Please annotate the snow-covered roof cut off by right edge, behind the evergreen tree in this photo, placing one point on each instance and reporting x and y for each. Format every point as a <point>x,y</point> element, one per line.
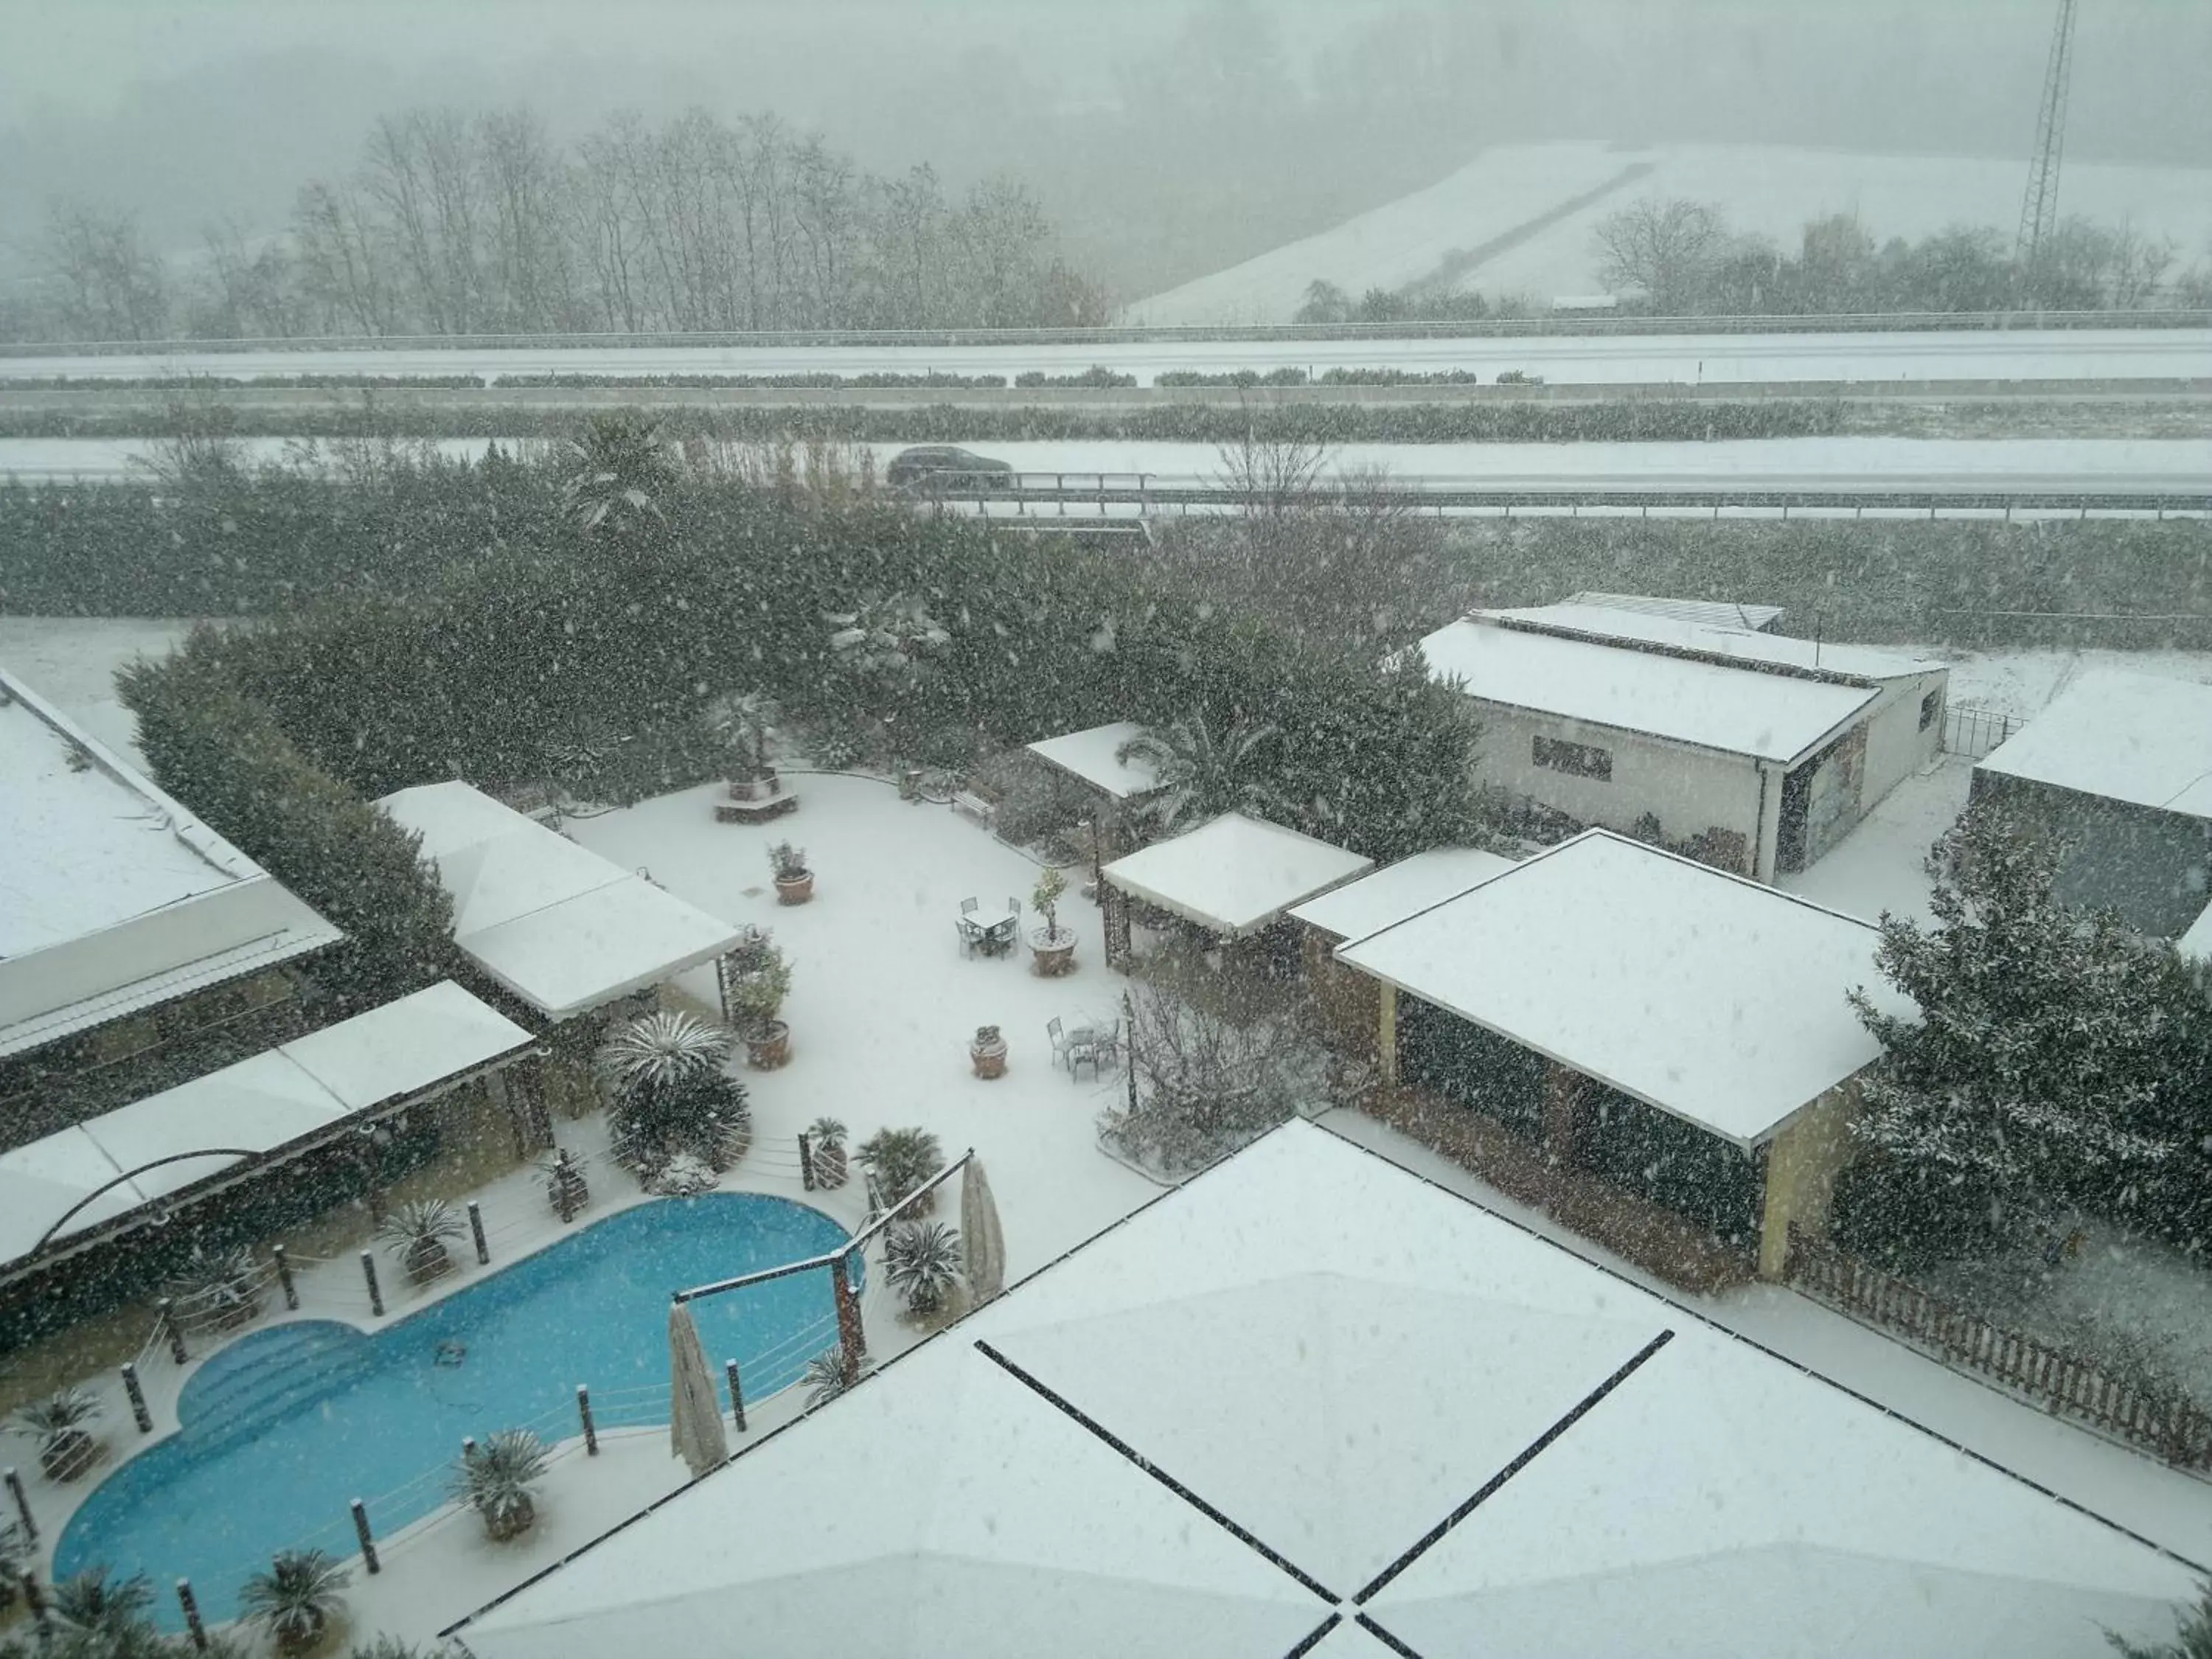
<point>2127,738</point>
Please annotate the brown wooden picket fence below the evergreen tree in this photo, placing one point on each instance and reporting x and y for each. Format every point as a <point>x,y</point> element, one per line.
<point>2158,1421</point>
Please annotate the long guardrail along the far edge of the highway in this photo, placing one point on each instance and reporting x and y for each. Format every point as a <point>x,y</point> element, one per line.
<point>1145,333</point>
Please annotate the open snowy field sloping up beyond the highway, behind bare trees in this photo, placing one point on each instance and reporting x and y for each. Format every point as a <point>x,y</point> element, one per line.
<point>1503,218</point>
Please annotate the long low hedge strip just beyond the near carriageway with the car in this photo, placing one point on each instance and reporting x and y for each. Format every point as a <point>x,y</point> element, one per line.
<point>1333,424</point>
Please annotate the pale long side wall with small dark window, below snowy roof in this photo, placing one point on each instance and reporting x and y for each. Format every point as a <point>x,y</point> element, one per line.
<point>1689,791</point>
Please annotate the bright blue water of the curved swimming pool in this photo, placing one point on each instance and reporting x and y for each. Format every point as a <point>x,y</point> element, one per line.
<point>291,1423</point>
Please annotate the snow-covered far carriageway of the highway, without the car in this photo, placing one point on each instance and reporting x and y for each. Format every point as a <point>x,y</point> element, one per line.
<point>1662,359</point>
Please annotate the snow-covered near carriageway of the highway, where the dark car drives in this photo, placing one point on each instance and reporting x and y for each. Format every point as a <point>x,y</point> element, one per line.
<point>1870,466</point>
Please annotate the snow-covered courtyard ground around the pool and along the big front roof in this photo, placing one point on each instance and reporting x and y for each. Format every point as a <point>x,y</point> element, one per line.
<point>884,1005</point>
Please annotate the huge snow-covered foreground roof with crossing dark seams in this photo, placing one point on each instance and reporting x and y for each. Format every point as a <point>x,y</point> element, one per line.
<point>1311,1399</point>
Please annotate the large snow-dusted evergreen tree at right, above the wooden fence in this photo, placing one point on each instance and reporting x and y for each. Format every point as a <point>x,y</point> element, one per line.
<point>2049,1043</point>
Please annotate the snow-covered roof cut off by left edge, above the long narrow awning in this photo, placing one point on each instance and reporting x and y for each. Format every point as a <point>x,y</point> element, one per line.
<point>114,897</point>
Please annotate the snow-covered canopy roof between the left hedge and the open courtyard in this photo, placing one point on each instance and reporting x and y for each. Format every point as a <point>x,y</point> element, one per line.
<point>559,926</point>
